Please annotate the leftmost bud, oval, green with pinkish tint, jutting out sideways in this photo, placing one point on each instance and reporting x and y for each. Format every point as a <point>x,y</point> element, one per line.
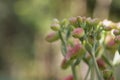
<point>53,36</point>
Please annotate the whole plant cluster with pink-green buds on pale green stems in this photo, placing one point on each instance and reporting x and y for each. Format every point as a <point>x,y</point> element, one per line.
<point>89,40</point>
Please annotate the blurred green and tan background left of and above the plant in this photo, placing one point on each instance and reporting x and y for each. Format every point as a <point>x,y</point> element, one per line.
<point>24,54</point>
